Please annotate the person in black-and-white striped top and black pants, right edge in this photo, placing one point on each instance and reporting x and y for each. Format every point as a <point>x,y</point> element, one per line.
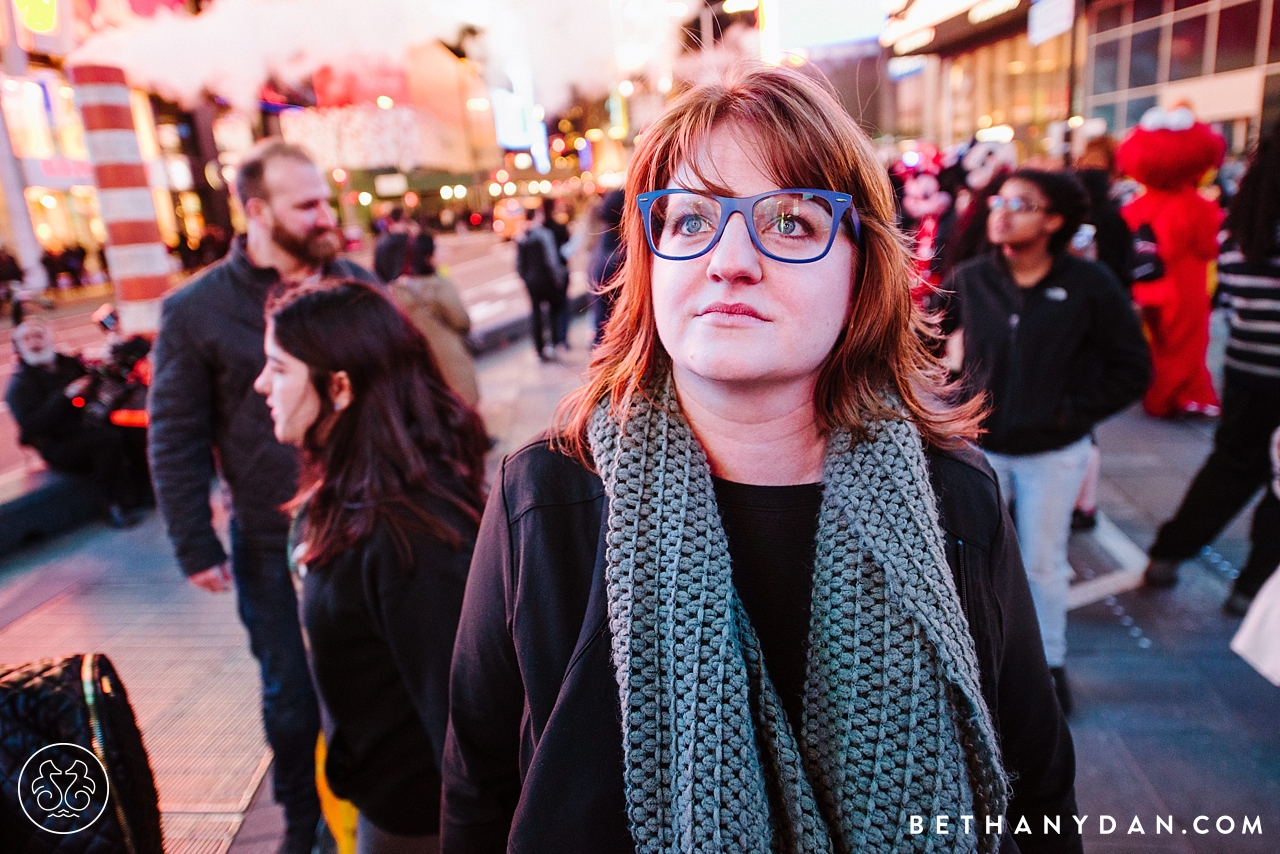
<point>1249,277</point>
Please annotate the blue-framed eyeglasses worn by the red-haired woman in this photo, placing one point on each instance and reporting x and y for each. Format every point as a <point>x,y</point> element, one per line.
<point>793,226</point>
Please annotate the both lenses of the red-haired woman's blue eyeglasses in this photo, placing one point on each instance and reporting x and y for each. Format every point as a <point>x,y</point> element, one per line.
<point>790,226</point>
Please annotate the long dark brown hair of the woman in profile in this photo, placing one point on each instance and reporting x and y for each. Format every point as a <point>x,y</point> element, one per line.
<point>405,433</point>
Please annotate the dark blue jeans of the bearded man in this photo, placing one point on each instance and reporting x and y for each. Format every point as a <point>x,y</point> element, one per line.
<point>269,610</point>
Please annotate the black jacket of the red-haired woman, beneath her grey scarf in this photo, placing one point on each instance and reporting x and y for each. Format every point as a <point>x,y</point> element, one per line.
<point>533,762</point>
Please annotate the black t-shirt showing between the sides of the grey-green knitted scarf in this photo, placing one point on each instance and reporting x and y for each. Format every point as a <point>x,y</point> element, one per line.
<point>771,536</point>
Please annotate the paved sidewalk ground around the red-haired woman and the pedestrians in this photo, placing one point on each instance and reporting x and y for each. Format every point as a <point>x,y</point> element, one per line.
<point>1169,723</point>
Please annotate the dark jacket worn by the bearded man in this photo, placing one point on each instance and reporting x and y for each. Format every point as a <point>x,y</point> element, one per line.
<point>203,404</point>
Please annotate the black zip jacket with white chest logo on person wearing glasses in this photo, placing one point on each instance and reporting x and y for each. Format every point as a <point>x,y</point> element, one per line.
<point>1054,359</point>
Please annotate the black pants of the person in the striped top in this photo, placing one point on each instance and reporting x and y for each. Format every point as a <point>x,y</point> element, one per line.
<point>1240,465</point>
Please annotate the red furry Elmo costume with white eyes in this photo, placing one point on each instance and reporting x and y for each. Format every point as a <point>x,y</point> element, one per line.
<point>1169,154</point>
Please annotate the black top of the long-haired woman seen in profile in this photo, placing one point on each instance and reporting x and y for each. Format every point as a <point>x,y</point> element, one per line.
<point>381,638</point>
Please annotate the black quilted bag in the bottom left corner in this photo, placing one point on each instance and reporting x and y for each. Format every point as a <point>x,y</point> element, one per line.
<point>74,773</point>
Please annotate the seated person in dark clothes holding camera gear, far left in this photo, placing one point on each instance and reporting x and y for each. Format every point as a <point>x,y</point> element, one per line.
<point>49,399</point>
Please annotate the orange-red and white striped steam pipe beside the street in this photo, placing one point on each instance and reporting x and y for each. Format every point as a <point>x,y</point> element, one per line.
<point>136,254</point>
